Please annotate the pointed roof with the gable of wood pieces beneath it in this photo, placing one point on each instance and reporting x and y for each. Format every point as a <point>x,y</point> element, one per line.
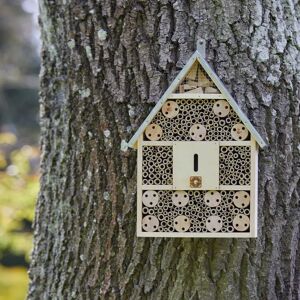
<point>205,81</point>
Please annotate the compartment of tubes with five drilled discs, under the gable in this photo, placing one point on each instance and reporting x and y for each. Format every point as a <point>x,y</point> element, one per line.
<point>197,120</point>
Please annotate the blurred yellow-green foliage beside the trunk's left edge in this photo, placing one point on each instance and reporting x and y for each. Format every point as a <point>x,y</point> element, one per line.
<point>18,192</point>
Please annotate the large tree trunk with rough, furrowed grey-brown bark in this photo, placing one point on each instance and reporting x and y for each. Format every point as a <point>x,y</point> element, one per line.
<point>104,64</point>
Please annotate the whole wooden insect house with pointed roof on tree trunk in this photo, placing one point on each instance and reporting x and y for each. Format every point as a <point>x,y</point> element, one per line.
<point>197,161</point>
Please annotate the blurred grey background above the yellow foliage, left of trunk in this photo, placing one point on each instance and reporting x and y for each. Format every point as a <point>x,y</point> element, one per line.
<point>19,66</point>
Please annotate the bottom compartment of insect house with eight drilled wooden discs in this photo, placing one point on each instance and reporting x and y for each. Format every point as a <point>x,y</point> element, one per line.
<point>167,213</point>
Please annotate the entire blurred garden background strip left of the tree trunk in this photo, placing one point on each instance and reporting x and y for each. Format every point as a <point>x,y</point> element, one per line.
<point>19,133</point>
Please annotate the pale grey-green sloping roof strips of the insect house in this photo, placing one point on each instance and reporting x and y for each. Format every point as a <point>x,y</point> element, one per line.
<point>197,57</point>
